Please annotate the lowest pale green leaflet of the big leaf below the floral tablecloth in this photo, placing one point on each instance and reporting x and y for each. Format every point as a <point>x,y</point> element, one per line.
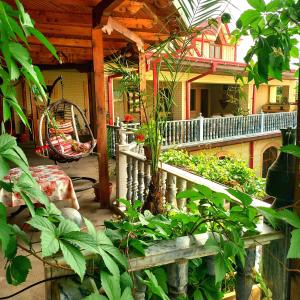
<point>73,258</point>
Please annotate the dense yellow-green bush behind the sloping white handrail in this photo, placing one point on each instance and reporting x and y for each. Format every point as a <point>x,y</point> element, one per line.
<point>229,171</point>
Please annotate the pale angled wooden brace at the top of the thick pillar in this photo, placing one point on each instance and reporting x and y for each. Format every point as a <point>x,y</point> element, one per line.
<point>113,25</point>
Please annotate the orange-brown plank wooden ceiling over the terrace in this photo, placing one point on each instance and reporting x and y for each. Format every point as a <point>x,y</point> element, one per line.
<point>68,25</point>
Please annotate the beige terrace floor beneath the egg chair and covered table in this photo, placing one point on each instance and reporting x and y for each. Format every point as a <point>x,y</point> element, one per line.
<point>88,208</point>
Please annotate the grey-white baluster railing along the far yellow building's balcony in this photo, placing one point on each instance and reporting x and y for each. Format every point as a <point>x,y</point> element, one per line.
<point>196,131</point>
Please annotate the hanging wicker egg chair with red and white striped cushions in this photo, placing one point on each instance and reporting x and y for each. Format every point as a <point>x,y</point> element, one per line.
<point>64,134</point>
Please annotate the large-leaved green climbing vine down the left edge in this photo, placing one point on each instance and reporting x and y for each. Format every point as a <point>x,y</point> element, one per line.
<point>59,236</point>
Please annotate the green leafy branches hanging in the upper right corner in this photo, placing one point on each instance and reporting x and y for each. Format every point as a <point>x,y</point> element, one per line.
<point>274,28</point>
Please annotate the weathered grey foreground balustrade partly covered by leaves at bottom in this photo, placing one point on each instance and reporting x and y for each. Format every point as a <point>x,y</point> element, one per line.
<point>174,254</point>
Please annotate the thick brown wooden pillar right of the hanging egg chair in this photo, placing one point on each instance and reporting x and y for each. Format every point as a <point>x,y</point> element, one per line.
<point>98,60</point>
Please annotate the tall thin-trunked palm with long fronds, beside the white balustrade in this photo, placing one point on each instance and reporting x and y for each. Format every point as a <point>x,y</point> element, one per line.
<point>171,63</point>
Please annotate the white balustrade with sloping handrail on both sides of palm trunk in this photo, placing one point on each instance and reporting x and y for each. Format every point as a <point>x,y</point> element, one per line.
<point>134,176</point>
